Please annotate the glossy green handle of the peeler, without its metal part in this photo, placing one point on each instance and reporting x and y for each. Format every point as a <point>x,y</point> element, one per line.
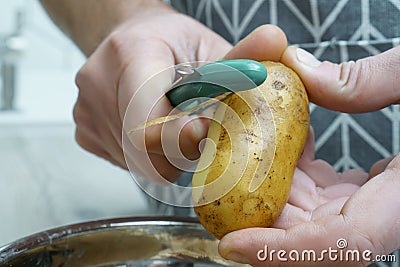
<point>255,74</point>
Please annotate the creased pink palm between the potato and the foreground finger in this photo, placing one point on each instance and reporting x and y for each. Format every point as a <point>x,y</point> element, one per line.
<point>318,190</point>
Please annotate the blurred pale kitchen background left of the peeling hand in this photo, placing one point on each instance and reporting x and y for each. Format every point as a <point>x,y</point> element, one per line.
<point>46,179</point>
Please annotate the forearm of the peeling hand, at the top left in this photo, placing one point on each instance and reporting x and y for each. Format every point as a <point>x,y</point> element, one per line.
<point>89,22</point>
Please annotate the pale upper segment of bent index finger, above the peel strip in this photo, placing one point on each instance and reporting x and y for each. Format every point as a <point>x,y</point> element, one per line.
<point>143,84</point>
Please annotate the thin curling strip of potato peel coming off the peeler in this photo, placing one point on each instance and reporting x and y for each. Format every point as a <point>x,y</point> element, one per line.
<point>179,115</point>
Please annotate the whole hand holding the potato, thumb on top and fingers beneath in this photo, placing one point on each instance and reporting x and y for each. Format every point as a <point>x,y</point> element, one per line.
<point>325,206</point>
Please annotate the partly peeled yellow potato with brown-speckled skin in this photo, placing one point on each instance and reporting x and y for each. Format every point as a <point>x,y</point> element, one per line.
<point>244,179</point>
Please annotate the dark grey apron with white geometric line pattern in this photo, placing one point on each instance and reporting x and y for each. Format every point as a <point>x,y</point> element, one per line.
<point>332,30</point>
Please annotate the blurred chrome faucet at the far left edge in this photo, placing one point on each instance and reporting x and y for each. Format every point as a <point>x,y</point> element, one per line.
<point>11,48</point>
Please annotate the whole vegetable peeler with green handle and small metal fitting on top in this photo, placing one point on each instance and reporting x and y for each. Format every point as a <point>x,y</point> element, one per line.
<point>194,85</point>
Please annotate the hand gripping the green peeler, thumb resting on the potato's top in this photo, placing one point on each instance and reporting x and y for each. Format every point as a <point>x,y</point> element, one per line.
<point>131,54</point>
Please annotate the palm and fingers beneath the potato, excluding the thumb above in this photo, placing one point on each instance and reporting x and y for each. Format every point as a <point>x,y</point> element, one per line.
<point>324,207</point>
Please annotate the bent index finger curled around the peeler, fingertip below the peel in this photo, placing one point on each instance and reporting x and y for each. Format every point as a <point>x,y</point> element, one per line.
<point>181,136</point>
